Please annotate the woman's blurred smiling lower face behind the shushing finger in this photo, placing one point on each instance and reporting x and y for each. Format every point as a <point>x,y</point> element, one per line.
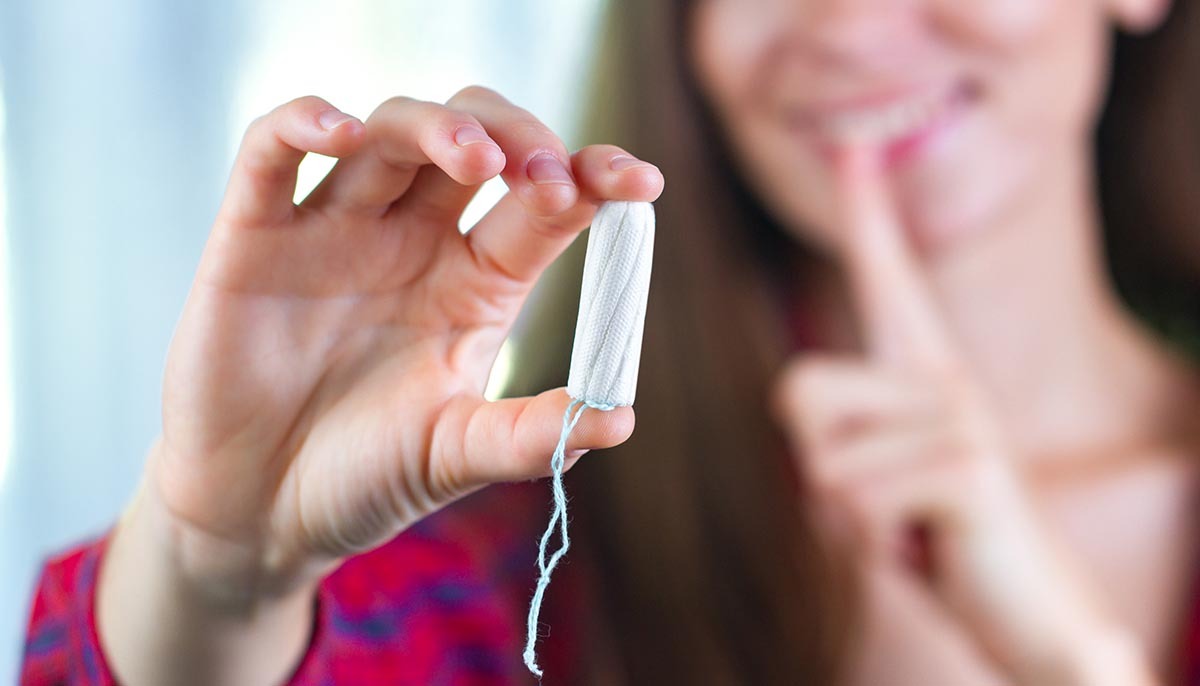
<point>975,105</point>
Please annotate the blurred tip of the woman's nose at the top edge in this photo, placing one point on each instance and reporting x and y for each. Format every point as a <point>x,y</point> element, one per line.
<point>862,33</point>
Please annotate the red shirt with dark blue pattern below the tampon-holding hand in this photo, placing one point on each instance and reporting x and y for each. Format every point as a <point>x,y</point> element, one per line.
<point>443,604</point>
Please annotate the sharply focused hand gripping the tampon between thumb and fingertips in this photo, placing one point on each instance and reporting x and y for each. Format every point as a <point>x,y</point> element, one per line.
<point>325,387</point>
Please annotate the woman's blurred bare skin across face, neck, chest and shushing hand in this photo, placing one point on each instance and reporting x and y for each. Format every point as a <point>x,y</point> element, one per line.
<point>1027,426</point>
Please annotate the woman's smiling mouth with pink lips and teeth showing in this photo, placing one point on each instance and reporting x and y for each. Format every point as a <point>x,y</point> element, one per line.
<point>897,124</point>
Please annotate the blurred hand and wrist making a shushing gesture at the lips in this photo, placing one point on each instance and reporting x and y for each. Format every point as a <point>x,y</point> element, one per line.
<point>903,450</point>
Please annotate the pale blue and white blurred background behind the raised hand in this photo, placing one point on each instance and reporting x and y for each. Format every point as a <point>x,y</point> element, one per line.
<point>119,122</point>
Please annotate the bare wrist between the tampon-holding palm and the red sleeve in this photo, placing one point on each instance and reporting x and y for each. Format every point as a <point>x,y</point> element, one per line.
<point>159,627</point>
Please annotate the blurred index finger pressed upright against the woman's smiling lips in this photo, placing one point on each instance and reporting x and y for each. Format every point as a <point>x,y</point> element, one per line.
<point>901,318</point>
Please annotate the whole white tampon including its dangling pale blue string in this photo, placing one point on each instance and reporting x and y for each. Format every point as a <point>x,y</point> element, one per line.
<point>605,358</point>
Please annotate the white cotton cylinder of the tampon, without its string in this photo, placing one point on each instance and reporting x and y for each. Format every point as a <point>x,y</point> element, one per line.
<point>613,305</point>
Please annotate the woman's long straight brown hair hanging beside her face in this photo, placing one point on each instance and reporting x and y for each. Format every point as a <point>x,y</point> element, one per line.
<point>707,568</point>
